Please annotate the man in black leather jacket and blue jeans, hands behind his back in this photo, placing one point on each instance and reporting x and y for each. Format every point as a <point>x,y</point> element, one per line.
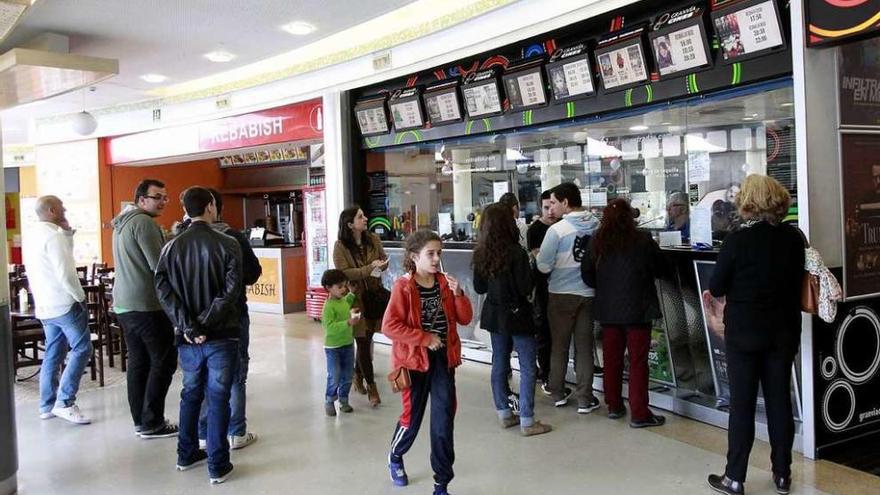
<point>199,284</point>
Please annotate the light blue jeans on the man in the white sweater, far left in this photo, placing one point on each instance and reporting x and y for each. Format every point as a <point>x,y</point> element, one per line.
<point>70,329</point>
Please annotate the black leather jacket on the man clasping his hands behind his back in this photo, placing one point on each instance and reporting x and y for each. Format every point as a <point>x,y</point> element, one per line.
<point>199,282</point>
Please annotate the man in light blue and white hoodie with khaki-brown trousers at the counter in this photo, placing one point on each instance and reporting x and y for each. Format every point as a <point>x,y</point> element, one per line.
<point>570,303</point>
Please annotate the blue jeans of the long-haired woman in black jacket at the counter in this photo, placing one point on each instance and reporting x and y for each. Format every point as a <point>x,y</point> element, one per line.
<point>502,346</point>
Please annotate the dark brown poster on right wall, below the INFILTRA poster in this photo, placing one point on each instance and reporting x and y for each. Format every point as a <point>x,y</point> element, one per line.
<point>860,184</point>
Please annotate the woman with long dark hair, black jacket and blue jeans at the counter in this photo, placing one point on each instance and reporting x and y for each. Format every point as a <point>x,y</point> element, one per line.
<point>502,271</point>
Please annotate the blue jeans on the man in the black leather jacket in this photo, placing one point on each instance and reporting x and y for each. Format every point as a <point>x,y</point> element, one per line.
<point>208,372</point>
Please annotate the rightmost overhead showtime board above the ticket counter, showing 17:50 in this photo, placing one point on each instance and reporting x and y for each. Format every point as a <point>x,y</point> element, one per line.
<point>748,29</point>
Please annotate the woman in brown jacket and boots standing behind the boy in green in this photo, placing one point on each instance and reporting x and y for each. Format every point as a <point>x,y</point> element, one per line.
<point>359,254</point>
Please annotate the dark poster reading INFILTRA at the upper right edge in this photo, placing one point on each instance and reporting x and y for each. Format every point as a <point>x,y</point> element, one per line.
<point>858,83</point>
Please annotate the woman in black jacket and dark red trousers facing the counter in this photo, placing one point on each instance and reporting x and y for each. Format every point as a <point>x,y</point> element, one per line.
<point>621,265</point>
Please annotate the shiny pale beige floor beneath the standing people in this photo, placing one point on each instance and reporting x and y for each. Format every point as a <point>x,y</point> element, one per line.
<point>302,451</point>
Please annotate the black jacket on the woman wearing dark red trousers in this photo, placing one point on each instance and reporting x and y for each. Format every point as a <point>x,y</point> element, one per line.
<point>624,282</point>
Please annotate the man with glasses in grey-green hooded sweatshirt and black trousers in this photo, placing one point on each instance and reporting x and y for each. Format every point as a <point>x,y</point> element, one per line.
<point>149,335</point>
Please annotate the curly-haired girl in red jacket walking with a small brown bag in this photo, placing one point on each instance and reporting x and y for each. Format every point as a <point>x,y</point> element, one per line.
<point>425,307</point>
